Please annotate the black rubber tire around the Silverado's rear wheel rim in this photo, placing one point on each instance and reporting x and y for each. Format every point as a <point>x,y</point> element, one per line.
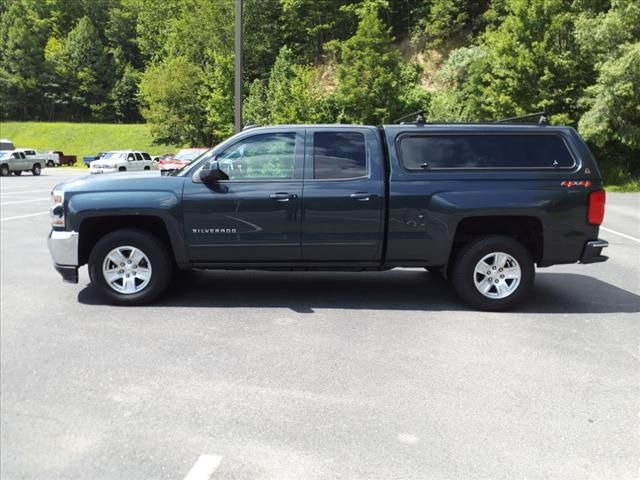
<point>464,278</point>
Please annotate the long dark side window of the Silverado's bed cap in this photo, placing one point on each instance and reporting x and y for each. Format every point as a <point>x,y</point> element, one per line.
<point>484,151</point>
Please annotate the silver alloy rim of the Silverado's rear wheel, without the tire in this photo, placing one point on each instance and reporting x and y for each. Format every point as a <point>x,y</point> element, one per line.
<point>497,275</point>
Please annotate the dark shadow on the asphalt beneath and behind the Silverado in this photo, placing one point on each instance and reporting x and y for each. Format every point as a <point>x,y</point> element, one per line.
<point>393,290</point>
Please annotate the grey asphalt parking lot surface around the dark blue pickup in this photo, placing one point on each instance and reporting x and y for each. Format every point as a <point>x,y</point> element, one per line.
<point>316,375</point>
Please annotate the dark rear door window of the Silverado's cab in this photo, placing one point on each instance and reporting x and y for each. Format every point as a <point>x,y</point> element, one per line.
<point>339,155</point>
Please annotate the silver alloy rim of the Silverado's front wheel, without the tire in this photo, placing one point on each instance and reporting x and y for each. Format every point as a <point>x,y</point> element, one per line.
<point>126,270</point>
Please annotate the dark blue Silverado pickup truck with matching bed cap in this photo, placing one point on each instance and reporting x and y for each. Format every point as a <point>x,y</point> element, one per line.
<point>483,204</point>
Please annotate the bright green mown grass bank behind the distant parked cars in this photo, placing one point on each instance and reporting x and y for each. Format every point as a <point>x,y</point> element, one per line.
<point>82,139</point>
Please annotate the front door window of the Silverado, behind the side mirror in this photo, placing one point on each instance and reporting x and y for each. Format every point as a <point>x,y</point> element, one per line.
<point>260,157</point>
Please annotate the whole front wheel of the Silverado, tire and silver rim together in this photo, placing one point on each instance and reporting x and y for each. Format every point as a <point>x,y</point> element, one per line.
<point>130,267</point>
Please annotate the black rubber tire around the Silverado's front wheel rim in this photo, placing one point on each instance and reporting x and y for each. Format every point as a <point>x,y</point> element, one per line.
<point>154,249</point>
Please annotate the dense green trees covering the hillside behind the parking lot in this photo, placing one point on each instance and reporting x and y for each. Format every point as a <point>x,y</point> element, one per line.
<point>362,61</point>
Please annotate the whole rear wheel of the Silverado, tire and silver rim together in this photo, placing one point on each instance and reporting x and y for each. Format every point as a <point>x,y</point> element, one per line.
<point>493,273</point>
